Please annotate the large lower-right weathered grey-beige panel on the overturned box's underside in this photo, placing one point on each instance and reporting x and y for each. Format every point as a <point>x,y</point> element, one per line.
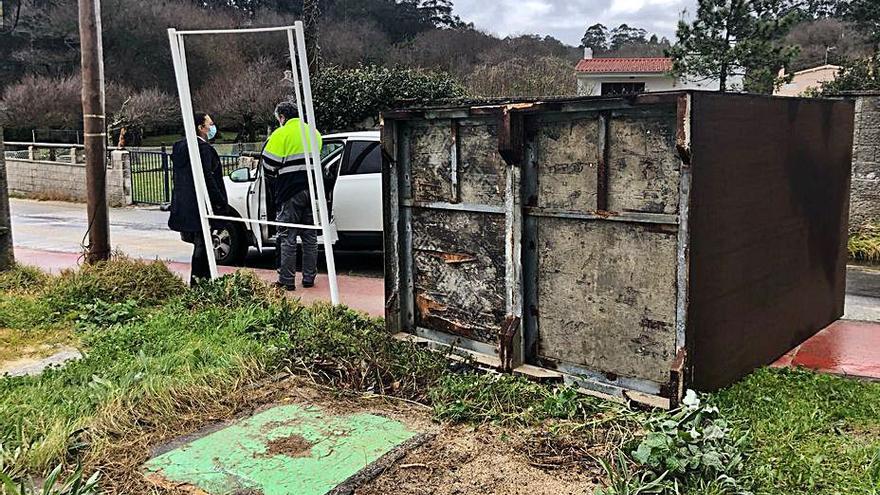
<point>605,302</point>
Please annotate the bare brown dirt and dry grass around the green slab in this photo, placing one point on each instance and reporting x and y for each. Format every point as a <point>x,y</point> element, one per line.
<point>454,460</point>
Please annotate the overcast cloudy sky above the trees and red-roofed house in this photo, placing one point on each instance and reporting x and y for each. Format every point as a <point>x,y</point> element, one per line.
<point>567,19</point>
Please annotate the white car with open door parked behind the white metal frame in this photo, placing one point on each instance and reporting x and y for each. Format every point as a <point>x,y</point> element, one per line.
<point>352,165</point>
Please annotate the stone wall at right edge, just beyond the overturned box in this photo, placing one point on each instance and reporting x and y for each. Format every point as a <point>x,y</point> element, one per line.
<point>865,193</point>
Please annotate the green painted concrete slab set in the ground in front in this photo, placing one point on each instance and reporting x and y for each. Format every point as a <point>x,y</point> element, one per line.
<point>282,451</point>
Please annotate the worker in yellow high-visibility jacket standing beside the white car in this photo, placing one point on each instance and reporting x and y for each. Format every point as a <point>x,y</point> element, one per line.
<point>284,162</point>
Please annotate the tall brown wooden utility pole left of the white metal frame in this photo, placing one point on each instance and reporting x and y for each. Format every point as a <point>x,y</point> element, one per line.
<point>94,129</point>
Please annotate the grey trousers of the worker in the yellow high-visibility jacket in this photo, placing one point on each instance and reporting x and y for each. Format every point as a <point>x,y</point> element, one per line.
<point>297,209</point>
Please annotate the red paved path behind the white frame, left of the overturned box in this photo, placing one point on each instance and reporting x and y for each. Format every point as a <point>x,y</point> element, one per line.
<point>362,293</point>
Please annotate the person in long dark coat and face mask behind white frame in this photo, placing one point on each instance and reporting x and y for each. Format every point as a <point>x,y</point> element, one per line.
<point>184,208</point>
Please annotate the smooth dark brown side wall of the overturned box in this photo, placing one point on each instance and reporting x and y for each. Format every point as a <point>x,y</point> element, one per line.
<point>768,223</point>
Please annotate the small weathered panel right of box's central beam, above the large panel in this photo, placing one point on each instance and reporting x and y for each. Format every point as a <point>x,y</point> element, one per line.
<point>568,154</point>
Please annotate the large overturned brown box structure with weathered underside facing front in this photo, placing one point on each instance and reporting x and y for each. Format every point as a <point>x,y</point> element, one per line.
<point>635,246</point>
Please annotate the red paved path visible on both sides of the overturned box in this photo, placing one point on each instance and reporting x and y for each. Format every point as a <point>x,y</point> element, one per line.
<point>845,347</point>
